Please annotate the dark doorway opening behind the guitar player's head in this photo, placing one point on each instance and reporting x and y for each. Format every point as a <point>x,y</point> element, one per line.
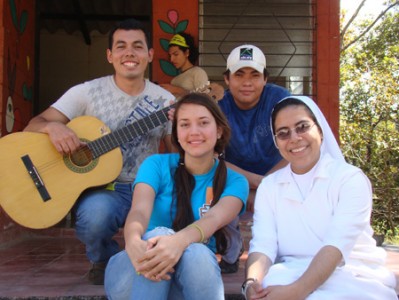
<point>72,38</point>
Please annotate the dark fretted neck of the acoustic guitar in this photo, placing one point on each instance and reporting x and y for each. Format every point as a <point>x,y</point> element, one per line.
<point>125,134</point>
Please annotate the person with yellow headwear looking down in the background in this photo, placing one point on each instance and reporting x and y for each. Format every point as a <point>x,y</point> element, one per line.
<point>183,55</point>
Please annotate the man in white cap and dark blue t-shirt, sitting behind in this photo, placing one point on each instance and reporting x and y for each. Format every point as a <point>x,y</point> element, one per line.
<point>248,103</point>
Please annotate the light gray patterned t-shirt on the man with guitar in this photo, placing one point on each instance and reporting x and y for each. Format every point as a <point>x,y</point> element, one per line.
<point>101,98</point>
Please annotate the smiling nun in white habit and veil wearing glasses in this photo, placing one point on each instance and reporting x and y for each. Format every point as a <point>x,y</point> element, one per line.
<point>311,237</point>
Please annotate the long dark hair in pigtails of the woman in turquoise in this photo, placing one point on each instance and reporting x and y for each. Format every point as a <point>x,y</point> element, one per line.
<point>184,180</point>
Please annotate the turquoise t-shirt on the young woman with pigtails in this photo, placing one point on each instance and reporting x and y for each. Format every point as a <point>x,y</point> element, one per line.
<point>158,172</point>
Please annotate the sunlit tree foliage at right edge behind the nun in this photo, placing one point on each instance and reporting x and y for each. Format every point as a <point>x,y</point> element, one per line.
<point>369,128</point>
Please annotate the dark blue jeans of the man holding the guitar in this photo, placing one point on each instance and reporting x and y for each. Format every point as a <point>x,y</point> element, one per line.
<point>99,215</point>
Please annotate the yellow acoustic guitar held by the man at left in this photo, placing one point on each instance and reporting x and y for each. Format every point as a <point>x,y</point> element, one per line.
<point>39,186</point>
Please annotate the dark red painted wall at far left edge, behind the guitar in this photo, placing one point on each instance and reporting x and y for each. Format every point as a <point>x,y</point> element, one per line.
<point>17,37</point>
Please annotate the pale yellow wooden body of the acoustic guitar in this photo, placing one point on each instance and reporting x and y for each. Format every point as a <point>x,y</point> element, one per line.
<point>62,178</point>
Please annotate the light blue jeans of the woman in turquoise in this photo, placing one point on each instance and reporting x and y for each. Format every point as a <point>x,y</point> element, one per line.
<point>197,276</point>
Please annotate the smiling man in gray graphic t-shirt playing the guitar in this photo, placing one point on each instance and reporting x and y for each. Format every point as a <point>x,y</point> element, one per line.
<point>117,100</point>
